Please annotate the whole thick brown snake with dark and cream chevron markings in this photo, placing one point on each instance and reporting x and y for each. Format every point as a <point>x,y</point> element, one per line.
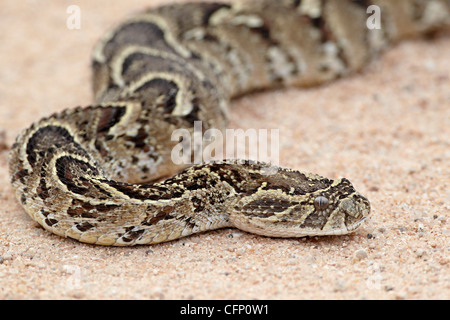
<point>103,174</point>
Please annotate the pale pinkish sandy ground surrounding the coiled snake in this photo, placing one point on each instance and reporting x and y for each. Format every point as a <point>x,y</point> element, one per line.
<point>386,130</point>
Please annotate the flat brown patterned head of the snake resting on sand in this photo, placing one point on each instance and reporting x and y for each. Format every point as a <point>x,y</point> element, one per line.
<point>295,204</point>
